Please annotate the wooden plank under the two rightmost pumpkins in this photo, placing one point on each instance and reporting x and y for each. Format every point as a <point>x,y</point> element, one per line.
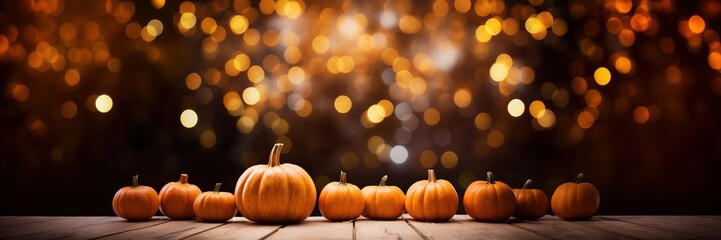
<point>554,227</point>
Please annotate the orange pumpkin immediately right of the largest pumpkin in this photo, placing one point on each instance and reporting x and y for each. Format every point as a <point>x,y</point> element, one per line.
<point>341,201</point>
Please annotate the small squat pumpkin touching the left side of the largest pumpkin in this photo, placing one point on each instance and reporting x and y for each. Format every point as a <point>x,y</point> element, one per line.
<point>215,206</point>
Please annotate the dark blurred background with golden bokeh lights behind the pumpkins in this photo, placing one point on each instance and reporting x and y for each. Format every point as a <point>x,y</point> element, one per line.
<point>627,92</point>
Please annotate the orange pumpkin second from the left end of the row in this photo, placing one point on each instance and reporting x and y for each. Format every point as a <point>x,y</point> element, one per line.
<point>176,199</point>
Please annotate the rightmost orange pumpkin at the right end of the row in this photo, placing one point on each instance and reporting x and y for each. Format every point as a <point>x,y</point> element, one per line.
<point>575,200</point>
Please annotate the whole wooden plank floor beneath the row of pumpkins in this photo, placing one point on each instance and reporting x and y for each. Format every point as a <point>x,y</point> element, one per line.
<point>460,227</point>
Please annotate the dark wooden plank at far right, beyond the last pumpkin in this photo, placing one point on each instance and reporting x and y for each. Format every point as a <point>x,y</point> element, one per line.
<point>691,225</point>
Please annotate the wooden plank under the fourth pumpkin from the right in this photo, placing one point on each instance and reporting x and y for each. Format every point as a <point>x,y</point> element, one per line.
<point>464,227</point>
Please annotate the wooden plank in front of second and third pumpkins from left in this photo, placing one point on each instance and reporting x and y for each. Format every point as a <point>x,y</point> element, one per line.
<point>170,230</point>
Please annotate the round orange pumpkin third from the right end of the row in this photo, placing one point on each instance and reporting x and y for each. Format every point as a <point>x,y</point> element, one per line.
<point>489,201</point>
